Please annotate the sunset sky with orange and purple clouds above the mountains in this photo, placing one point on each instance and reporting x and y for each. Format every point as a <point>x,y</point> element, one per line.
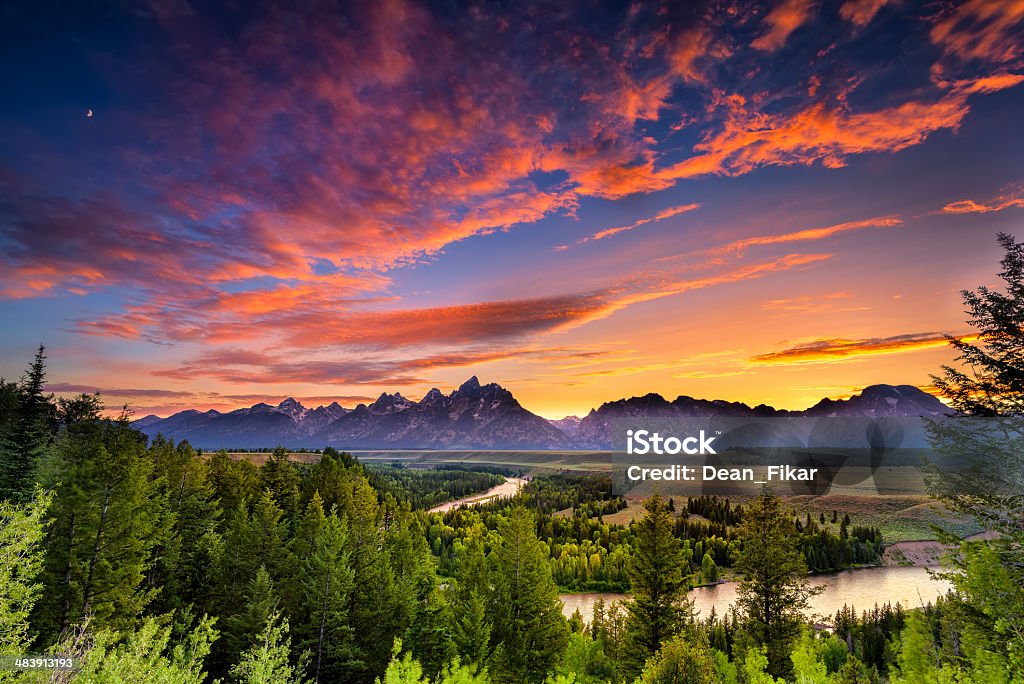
<point>209,205</point>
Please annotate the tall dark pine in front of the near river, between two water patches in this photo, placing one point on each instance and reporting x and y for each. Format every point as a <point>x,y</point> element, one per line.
<point>775,590</point>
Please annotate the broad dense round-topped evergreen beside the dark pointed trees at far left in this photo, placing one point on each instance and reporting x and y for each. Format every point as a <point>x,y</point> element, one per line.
<point>107,519</point>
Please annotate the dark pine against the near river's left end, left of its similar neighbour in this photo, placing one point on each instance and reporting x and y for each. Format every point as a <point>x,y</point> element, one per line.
<point>659,576</point>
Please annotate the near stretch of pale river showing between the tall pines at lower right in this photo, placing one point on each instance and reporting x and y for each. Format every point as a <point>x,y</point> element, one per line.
<point>912,587</point>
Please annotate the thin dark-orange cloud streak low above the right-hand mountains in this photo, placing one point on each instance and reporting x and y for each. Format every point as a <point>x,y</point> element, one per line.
<point>839,350</point>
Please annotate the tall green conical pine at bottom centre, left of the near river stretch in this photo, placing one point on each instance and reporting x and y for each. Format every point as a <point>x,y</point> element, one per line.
<point>530,631</point>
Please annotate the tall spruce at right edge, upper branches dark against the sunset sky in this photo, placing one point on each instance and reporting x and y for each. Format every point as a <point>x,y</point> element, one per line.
<point>979,469</point>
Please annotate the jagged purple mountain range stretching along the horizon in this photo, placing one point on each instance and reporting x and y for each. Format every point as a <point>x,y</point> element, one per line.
<point>477,416</point>
